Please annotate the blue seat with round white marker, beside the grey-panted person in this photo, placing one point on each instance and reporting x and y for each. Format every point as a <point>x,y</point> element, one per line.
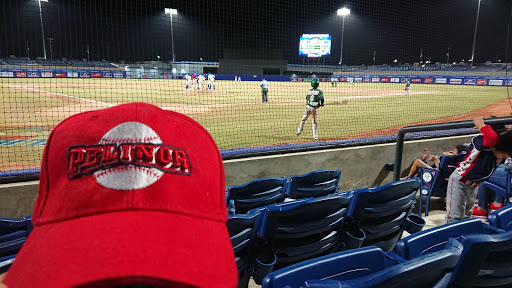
<point>434,182</point>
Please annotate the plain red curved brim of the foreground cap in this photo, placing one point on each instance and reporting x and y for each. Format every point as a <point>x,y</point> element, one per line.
<point>142,244</point>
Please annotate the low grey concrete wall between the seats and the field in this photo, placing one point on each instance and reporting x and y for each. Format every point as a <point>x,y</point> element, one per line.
<point>361,166</point>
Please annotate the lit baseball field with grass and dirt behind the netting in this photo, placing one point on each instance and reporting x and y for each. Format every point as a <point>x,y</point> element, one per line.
<point>233,112</point>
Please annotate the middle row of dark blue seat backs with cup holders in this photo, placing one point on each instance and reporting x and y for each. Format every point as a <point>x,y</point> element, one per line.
<point>282,234</point>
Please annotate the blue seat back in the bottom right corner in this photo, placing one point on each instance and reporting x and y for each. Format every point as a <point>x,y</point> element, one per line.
<point>486,261</point>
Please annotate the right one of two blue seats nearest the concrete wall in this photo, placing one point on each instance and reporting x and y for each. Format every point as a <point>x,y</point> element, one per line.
<point>313,184</point>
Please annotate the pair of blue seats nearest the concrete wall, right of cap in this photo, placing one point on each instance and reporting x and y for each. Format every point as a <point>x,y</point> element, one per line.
<point>266,191</point>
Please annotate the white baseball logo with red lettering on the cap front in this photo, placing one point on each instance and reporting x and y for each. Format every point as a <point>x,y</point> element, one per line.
<point>129,156</point>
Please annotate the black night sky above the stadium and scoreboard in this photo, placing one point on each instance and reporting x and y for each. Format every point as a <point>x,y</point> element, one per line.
<point>139,30</point>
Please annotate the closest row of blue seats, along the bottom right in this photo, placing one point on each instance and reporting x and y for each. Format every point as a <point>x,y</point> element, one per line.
<point>467,253</point>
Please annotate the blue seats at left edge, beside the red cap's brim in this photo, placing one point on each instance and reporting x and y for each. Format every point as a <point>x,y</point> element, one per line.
<point>13,233</point>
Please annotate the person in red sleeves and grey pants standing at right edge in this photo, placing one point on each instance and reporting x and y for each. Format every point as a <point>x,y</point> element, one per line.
<point>489,149</point>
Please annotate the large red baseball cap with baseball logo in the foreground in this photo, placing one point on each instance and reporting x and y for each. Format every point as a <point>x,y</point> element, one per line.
<point>130,192</point>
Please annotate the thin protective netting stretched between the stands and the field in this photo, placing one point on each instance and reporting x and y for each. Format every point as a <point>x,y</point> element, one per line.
<point>59,58</point>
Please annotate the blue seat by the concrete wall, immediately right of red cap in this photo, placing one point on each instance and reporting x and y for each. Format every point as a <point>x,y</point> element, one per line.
<point>257,193</point>
